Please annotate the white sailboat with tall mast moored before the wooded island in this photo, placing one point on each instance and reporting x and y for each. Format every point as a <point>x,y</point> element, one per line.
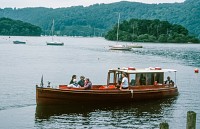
<point>118,46</point>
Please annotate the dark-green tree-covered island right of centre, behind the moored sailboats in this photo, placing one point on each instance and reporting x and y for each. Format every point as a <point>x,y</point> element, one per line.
<point>150,31</point>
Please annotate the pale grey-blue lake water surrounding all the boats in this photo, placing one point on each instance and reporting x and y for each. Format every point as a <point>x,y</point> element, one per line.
<point>21,68</point>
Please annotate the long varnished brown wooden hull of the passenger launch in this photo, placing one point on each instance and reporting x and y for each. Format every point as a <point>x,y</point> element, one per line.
<point>51,96</point>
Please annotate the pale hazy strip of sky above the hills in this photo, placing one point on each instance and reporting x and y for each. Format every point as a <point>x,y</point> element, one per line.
<point>68,3</point>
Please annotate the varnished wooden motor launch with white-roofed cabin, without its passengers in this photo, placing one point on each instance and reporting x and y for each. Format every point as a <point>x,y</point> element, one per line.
<point>152,88</point>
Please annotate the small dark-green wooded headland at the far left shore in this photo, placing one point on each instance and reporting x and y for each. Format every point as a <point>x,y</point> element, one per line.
<point>18,28</point>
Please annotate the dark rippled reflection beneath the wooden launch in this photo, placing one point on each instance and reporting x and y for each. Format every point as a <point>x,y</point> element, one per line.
<point>134,115</point>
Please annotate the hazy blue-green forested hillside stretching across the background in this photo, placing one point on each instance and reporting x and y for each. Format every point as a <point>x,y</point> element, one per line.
<point>102,17</point>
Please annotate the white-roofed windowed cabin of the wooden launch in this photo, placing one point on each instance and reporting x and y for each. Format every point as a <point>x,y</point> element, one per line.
<point>139,77</point>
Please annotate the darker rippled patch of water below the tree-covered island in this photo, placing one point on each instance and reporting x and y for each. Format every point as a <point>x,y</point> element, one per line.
<point>189,54</point>
